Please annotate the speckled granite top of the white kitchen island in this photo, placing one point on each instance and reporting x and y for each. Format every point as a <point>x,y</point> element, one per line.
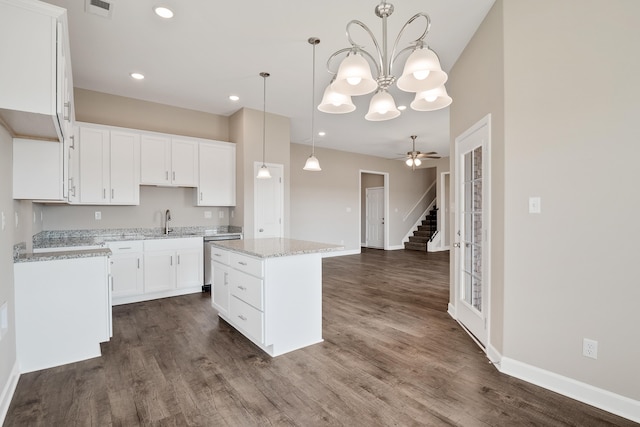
<point>275,247</point>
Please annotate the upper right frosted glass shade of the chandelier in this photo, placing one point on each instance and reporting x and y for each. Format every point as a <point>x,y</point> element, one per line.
<point>422,72</point>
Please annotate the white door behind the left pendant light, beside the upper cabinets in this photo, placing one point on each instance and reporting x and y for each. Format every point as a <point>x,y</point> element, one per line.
<point>269,202</point>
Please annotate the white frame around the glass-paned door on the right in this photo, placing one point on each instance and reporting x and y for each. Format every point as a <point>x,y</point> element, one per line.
<point>486,246</point>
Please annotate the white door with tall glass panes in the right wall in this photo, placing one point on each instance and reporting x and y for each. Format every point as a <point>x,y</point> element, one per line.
<point>472,225</point>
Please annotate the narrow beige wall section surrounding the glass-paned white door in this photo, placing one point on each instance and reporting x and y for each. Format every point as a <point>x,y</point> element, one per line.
<point>476,85</point>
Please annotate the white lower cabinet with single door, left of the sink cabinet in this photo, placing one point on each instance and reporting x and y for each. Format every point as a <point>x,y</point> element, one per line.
<point>127,265</point>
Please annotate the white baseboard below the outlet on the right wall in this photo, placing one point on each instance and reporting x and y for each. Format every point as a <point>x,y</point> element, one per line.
<point>586,393</point>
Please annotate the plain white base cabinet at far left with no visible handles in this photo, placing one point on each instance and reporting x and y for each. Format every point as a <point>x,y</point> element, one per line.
<point>62,311</point>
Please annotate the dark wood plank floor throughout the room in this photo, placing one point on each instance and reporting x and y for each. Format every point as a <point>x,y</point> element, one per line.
<point>392,356</point>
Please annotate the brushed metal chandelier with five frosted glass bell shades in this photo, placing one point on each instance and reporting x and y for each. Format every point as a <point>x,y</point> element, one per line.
<point>422,73</point>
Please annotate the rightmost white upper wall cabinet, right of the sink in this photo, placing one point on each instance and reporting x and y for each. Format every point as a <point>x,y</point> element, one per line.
<point>217,174</point>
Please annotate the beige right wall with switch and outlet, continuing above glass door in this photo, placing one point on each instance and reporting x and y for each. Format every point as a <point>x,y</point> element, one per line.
<point>560,80</point>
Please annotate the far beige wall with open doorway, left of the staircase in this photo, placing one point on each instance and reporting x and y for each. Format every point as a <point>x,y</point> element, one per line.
<point>325,206</point>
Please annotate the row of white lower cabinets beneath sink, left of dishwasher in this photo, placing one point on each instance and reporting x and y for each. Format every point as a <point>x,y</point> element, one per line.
<point>159,268</point>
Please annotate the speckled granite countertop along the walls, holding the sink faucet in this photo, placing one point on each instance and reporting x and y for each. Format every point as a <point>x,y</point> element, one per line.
<point>88,243</point>
